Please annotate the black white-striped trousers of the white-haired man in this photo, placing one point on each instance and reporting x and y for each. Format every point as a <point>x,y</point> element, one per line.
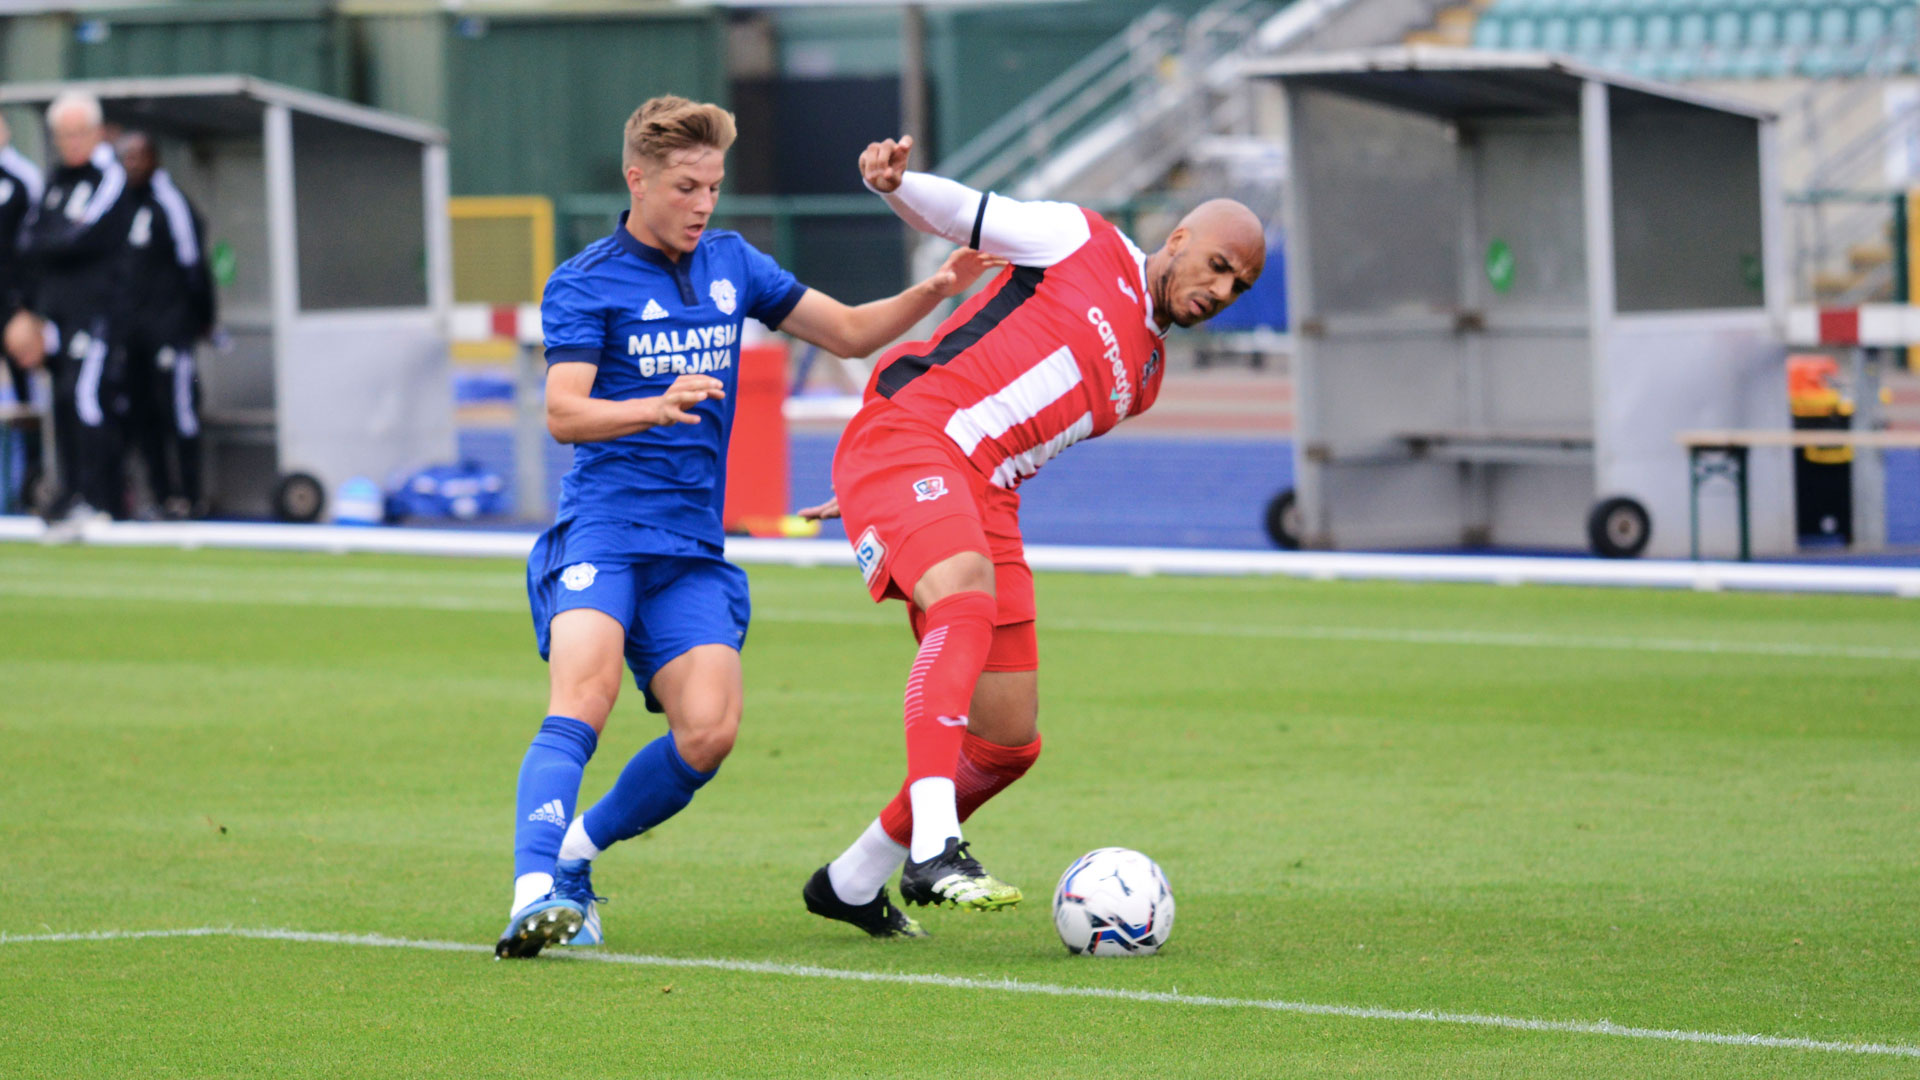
<point>89,414</point>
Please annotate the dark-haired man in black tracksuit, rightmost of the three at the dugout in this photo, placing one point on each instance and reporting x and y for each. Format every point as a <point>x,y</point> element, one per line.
<point>170,308</point>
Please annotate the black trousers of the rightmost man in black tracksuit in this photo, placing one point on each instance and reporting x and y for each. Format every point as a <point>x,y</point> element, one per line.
<point>164,422</point>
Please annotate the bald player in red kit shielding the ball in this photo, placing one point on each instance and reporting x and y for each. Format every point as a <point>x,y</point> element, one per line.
<point>1063,347</point>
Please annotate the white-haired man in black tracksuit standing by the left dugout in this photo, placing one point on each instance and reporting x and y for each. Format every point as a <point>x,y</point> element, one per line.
<point>74,245</point>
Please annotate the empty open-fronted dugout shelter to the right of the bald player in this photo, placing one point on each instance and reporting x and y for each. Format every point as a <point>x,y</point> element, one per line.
<point>1516,280</point>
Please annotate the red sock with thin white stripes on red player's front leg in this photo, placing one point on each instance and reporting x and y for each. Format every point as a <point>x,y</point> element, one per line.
<point>942,685</point>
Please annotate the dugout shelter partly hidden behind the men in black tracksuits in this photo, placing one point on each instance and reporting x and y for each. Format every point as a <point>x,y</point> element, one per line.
<point>329,249</point>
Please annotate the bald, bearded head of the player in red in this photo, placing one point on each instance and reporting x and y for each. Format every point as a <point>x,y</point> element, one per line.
<point>1211,258</point>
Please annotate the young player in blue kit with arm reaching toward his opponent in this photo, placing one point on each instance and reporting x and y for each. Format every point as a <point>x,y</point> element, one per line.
<point>642,355</point>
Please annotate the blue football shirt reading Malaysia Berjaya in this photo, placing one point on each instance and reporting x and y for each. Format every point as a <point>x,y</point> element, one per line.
<point>646,320</point>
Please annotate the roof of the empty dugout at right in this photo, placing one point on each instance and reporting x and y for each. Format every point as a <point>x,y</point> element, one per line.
<point>1454,84</point>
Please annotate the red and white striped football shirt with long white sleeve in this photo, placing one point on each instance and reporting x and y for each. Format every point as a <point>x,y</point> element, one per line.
<point>1057,351</point>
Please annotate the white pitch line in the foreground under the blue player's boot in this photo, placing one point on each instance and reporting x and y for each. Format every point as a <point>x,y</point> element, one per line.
<point>1013,987</point>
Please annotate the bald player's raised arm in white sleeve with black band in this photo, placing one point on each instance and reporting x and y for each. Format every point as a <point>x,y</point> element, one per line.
<point>1024,233</point>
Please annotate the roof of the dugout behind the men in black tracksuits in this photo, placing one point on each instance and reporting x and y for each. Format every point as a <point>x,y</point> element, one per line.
<point>218,105</point>
